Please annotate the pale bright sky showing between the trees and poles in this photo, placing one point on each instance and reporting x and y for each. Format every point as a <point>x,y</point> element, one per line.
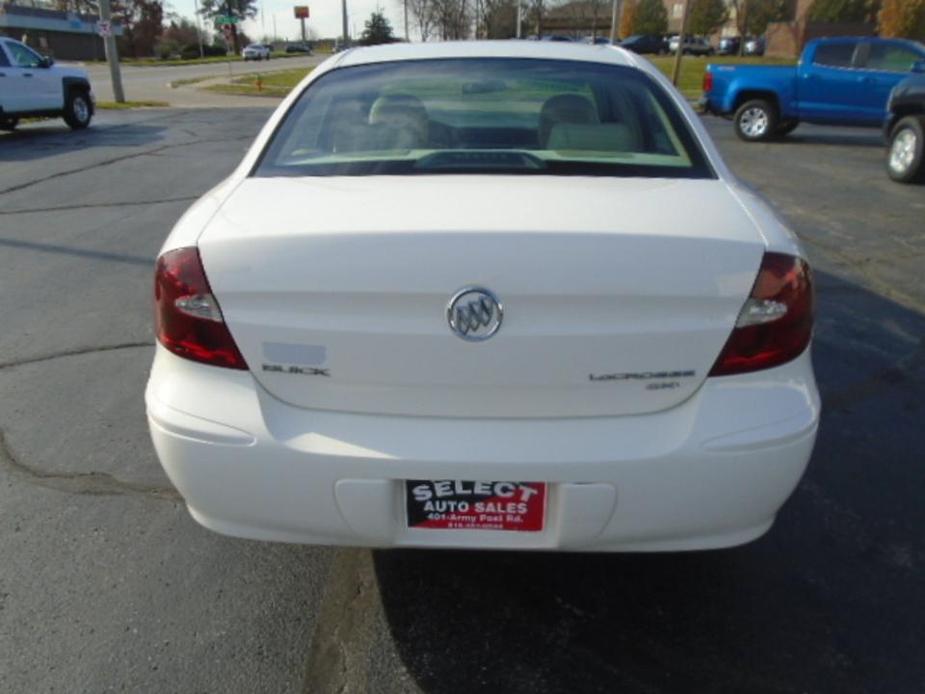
<point>325,17</point>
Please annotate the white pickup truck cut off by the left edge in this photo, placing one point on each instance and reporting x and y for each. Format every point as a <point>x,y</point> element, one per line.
<point>32,85</point>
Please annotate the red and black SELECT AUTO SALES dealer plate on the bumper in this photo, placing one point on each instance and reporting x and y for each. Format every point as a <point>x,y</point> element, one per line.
<point>468,505</point>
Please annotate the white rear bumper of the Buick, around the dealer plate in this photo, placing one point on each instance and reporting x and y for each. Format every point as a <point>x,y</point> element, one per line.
<point>711,472</point>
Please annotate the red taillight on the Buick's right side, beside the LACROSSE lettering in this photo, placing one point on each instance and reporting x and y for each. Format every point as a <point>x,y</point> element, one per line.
<point>776,323</point>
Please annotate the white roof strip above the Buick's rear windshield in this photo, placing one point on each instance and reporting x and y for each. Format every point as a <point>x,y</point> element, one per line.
<point>549,50</point>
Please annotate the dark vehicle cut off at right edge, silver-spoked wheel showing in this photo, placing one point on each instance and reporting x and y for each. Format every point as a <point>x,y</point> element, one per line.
<point>905,128</point>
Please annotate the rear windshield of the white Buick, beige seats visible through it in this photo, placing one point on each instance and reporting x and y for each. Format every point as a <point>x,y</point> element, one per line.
<point>484,116</point>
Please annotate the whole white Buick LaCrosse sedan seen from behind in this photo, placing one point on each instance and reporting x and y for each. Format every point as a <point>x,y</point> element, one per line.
<point>500,294</point>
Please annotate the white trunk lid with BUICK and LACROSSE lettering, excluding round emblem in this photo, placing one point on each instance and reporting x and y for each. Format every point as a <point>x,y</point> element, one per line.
<point>618,294</point>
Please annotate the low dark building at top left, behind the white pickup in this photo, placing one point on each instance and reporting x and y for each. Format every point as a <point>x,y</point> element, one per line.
<point>62,35</point>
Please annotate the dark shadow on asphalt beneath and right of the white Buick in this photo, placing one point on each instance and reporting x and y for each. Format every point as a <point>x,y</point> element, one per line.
<point>829,601</point>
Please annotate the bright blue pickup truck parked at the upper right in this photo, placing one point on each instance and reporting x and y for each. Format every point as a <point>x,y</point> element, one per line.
<point>838,81</point>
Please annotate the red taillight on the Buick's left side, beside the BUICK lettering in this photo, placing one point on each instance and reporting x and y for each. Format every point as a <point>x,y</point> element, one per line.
<point>188,320</point>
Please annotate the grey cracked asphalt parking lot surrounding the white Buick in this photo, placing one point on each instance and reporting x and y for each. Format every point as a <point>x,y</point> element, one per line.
<point>106,584</point>
